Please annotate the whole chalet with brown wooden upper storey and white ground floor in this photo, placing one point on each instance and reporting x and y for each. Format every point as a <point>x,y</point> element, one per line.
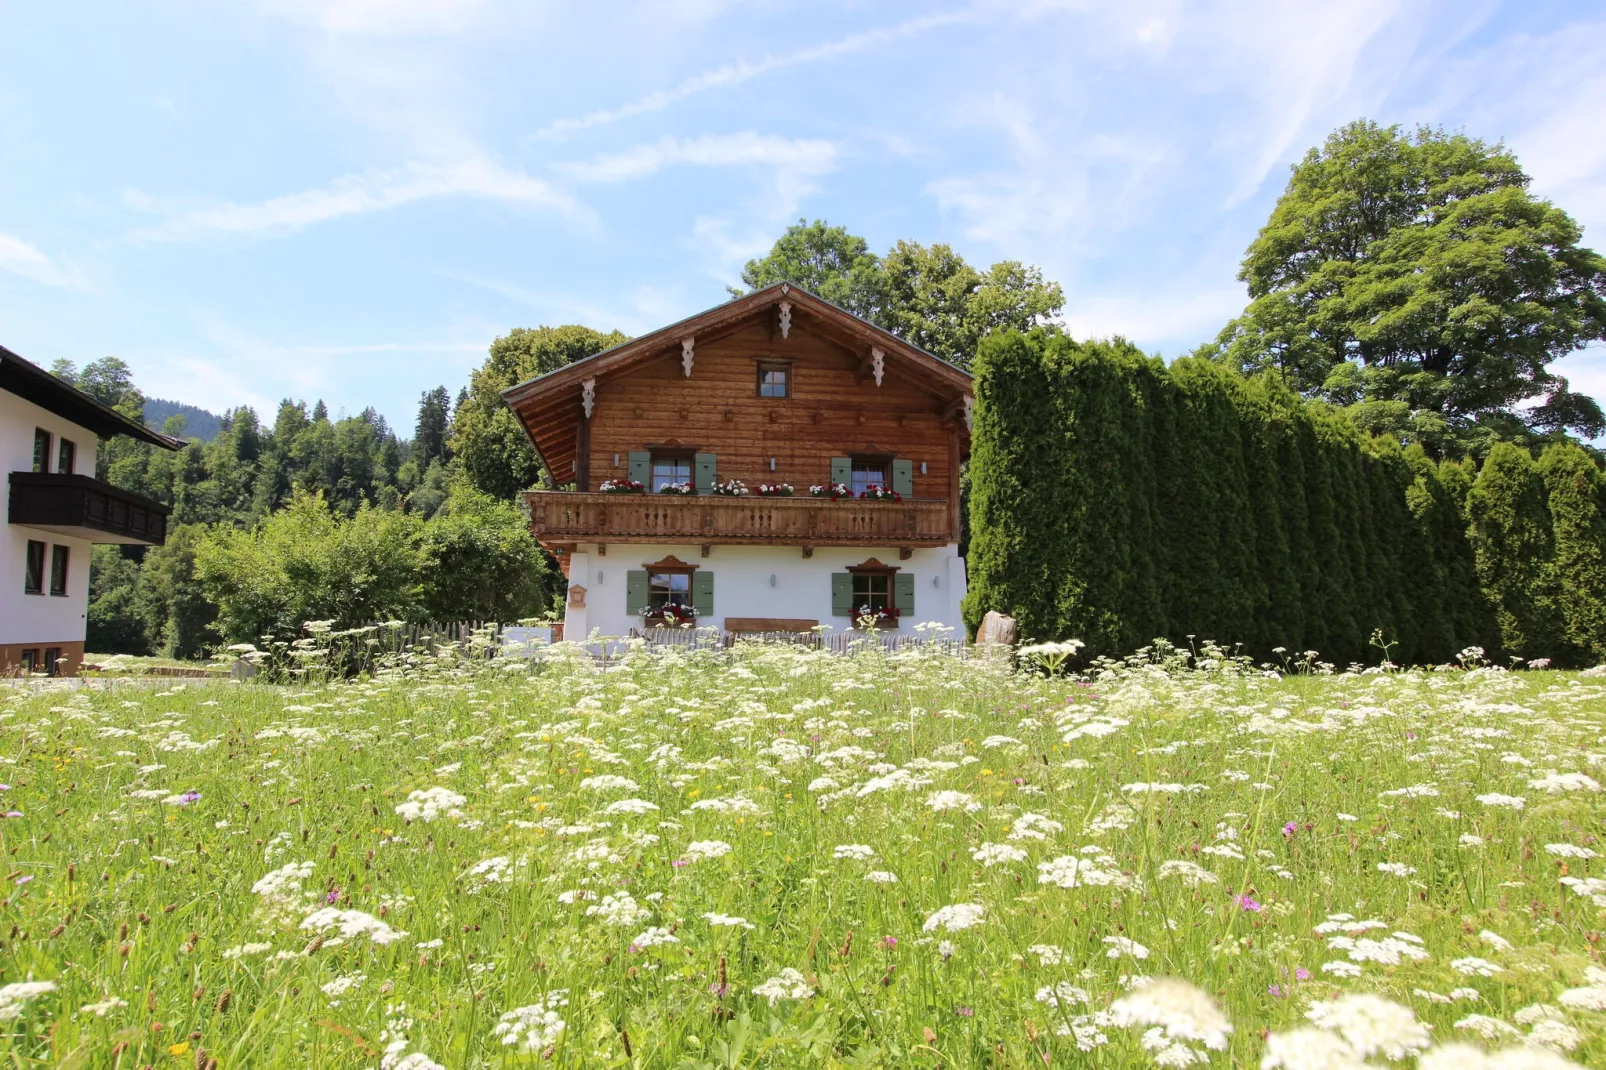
<point>772,390</point>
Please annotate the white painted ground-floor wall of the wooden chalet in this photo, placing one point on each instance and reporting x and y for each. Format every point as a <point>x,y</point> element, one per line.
<point>760,582</point>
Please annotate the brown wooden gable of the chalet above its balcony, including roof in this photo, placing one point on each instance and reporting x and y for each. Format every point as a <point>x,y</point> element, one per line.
<point>693,388</point>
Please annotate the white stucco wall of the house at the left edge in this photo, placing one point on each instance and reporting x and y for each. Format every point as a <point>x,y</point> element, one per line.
<point>41,618</point>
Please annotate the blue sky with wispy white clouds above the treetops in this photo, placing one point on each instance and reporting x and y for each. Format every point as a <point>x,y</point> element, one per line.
<point>353,198</point>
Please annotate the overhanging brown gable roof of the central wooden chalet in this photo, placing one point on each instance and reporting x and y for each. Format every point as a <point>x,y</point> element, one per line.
<point>548,406</point>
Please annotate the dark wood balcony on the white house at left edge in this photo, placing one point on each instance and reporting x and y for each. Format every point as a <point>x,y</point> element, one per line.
<point>86,508</point>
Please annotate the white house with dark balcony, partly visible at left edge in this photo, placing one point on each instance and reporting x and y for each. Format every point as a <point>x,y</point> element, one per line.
<point>57,510</point>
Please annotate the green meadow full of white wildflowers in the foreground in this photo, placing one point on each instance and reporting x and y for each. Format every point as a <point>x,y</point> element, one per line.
<point>775,857</point>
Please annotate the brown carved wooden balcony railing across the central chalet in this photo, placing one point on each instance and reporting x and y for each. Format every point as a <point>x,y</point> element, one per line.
<point>569,517</point>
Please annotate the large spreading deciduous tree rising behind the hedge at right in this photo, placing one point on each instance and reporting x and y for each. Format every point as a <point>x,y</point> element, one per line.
<point>1419,269</point>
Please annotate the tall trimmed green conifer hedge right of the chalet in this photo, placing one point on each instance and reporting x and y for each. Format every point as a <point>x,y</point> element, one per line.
<point>1117,500</point>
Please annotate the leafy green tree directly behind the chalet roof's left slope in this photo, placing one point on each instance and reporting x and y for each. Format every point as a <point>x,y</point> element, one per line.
<point>486,436</point>
